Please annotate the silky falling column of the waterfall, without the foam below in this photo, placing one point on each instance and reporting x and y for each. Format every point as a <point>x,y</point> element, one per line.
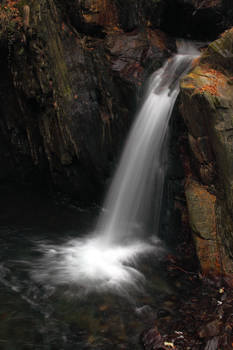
<point>136,191</point>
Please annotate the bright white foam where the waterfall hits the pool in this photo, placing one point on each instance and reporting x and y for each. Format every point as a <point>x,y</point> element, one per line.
<point>90,264</point>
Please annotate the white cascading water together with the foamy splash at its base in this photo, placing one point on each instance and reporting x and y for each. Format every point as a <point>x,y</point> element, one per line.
<point>106,260</point>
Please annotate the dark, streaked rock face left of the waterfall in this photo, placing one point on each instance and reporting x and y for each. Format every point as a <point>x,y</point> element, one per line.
<point>67,97</point>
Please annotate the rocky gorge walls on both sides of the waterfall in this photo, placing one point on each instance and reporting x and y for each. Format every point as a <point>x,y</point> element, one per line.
<point>71,77</point>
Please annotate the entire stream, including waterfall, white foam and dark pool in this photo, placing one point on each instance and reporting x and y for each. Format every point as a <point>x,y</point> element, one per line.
<point>73,278</point>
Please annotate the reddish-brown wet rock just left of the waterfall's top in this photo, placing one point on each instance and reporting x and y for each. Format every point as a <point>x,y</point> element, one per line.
<point>132,53</point>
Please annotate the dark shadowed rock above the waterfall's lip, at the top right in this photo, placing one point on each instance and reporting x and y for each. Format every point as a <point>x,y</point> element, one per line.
<point>181,18</point>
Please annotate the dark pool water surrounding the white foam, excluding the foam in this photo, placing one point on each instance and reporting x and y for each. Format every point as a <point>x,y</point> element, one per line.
<point>36,316</point>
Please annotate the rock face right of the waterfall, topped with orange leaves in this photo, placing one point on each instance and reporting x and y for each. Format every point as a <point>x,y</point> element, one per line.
<point>207,107</point>
